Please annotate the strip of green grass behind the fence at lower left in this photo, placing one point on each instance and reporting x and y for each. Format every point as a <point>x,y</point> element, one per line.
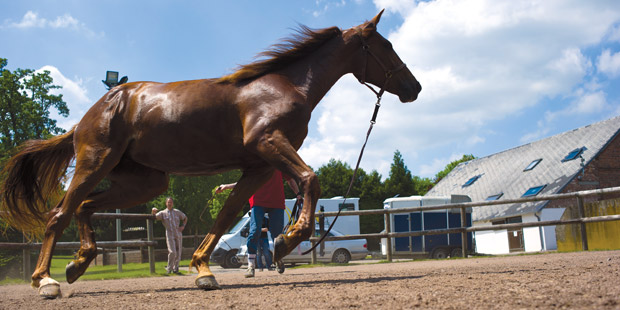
<point>130,270</point>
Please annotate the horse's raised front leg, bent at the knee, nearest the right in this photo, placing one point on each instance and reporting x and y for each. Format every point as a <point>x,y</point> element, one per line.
<point>277,150</point>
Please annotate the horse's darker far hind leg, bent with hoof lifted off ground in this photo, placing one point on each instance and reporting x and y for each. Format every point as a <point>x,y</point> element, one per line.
<point>131,184</point>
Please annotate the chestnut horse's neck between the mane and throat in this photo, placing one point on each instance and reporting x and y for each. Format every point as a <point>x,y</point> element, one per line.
<point>316,74</point>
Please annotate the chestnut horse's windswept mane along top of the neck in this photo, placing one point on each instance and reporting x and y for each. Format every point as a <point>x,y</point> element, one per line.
<point>303,42</point>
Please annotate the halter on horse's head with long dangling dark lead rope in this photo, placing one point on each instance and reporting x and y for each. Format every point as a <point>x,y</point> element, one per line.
<point>388,75</point>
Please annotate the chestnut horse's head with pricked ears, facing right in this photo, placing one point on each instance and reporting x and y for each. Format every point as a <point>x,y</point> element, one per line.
<point>380,65</point>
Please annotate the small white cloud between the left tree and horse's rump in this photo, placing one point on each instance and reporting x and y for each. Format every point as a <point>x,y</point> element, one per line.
<point>74,94</point>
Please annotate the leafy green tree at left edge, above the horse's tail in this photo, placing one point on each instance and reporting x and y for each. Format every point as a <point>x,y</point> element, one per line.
<point>25,103</point>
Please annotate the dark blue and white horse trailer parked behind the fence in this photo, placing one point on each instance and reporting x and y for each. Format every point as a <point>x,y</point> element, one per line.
<point>433,246</point>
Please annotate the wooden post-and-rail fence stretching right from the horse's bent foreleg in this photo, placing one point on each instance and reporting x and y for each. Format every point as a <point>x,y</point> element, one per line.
<point>463,230</point>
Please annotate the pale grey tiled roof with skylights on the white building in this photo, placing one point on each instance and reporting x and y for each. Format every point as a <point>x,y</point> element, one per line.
<point>503,173</point>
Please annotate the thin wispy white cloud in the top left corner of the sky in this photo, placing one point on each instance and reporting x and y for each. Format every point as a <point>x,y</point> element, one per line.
<point>33,20</point>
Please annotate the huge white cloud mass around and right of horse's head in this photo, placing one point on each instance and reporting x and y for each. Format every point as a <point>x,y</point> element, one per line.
<point>478,61</point>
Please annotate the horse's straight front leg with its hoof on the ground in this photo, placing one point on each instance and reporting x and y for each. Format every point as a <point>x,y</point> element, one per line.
<point>250,181</point>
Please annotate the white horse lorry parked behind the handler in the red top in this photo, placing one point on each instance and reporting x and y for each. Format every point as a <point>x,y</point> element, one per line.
<point>225,252</point>
